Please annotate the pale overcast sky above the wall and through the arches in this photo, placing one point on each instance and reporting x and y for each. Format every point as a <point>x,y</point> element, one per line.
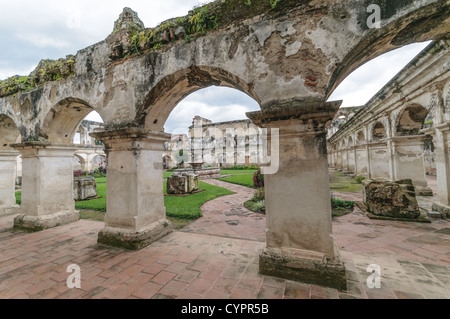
<point>49,29</point>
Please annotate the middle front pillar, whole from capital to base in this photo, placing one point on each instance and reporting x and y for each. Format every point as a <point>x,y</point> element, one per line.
<point>135,213</point>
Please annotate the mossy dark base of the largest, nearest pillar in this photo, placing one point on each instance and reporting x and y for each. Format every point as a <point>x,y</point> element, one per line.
<point>304,266</point>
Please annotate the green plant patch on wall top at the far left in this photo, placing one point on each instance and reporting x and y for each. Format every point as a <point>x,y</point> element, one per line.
<point>46,71</point>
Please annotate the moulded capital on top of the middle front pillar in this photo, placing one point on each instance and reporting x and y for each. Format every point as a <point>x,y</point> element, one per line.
<point>132,138</point>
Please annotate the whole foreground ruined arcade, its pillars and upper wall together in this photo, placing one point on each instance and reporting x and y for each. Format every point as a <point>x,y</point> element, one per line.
<point>288,58</point>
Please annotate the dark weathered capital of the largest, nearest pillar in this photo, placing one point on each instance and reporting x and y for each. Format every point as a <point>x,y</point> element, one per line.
<point>314,113</point>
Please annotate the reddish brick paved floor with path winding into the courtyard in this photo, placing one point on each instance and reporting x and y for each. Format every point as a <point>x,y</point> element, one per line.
<point>221,261</point>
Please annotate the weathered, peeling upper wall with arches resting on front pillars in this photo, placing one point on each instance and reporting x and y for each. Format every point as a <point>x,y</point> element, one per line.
<point>295,50</point>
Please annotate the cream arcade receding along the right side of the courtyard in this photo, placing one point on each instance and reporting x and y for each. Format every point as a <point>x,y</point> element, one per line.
<point>389,137</point>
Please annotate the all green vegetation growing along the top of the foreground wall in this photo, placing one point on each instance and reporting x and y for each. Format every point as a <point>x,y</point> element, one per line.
<point>188,28</point>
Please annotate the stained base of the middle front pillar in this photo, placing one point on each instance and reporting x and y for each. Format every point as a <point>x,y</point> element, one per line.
<point>132,240</point>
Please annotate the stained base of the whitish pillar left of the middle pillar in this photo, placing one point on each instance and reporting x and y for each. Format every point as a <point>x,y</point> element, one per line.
<point>38,223</point>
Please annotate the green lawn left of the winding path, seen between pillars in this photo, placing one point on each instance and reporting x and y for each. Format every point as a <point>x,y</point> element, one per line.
<point>180,210</point>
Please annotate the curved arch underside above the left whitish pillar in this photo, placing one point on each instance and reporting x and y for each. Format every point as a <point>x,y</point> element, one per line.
<point>63,120</point>
